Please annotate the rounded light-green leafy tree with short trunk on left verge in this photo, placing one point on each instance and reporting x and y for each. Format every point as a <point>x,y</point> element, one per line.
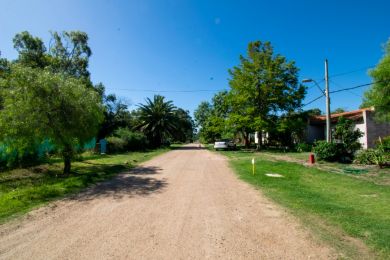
<point>40,105</point>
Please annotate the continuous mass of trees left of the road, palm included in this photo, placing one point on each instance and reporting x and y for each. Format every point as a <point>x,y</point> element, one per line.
<point>46,95</point>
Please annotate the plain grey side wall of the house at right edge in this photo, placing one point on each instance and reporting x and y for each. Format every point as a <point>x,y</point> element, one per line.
<point>374,129</point>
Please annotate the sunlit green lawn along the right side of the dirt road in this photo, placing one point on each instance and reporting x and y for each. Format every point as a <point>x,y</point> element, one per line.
<point>333,204</point>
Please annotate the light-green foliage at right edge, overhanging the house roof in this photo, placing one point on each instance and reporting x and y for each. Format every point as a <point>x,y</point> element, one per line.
<point>378,95</point>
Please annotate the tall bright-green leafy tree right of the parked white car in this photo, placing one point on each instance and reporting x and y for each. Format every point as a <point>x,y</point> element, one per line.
<point>265,83</point>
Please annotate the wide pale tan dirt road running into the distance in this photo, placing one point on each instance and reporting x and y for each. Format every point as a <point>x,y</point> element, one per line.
<point>185,204</point>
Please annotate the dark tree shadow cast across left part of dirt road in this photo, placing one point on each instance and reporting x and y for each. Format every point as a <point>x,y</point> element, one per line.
<point>133,183</point>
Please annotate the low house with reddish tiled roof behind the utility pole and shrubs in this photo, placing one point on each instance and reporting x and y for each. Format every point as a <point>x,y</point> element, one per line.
<point>363,119</point>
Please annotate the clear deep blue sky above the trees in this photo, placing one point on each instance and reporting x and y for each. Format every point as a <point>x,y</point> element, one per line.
<point>190,45</point>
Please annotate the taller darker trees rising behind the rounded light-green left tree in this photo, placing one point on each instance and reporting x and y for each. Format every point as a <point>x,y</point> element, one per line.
<point>69,53</point>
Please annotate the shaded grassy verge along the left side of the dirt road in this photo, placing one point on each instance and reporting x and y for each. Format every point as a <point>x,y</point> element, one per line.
<point>24,189</point>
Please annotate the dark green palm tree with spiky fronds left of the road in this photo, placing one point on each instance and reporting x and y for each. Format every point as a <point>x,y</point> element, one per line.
<point>157,120</point>
